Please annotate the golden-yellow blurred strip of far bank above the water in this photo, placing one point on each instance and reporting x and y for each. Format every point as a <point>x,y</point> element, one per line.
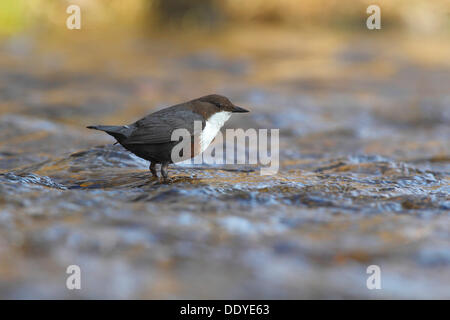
<point>45,15</point>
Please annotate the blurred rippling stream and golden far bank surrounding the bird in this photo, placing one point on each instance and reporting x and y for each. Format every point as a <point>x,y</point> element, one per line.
<point>364,149</point>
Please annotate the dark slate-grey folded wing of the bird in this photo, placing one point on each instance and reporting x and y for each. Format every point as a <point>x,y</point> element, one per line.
<point>158,127</point>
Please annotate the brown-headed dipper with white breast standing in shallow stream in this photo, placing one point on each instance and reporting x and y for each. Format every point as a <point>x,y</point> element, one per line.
<point>150,137</point>
